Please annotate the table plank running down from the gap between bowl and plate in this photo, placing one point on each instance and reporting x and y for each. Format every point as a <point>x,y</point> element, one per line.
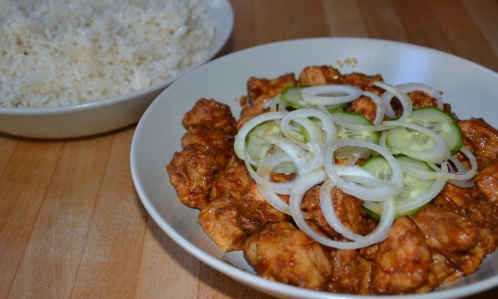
<point>113,247</point>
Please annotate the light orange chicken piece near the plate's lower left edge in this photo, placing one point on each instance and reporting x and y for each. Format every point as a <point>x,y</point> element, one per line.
<point>219,221</point>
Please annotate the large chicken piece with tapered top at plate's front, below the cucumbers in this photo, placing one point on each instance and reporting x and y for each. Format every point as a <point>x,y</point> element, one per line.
<point>403,263</point>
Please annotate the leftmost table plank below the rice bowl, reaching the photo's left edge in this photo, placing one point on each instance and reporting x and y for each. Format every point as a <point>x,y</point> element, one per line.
<point>24,183</point>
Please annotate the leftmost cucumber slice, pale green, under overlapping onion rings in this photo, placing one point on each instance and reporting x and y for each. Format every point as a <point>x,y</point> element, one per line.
<point>257,148</point>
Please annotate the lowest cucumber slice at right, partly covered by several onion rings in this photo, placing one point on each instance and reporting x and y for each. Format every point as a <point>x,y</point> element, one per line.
<point>413,187</point>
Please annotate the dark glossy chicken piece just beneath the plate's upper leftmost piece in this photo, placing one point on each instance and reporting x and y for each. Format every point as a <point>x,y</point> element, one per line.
<point>218,144</point>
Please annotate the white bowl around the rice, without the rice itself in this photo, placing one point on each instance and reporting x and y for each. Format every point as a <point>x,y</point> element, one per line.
<point>108,114</point>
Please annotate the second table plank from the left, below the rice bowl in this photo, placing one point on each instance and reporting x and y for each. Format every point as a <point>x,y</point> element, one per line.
<point>53,253</point>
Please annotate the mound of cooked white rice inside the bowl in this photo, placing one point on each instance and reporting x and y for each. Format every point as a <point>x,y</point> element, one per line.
<point>63,52</point>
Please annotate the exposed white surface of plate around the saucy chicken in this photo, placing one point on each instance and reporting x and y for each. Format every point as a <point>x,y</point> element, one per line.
<point>470,88</point>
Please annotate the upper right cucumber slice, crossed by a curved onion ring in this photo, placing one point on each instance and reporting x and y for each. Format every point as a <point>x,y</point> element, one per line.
<point>438,121</point>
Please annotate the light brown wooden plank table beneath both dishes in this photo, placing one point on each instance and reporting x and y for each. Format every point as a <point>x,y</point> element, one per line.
<point>71,223</point>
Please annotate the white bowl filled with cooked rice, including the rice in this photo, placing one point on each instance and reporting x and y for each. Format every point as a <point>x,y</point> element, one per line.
<point>72,68</point>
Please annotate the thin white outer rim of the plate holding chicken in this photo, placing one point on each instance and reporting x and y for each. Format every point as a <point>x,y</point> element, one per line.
<point>251,279</point>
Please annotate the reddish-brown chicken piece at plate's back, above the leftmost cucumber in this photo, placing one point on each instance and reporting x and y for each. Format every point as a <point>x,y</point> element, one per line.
<point>263,89</point>
